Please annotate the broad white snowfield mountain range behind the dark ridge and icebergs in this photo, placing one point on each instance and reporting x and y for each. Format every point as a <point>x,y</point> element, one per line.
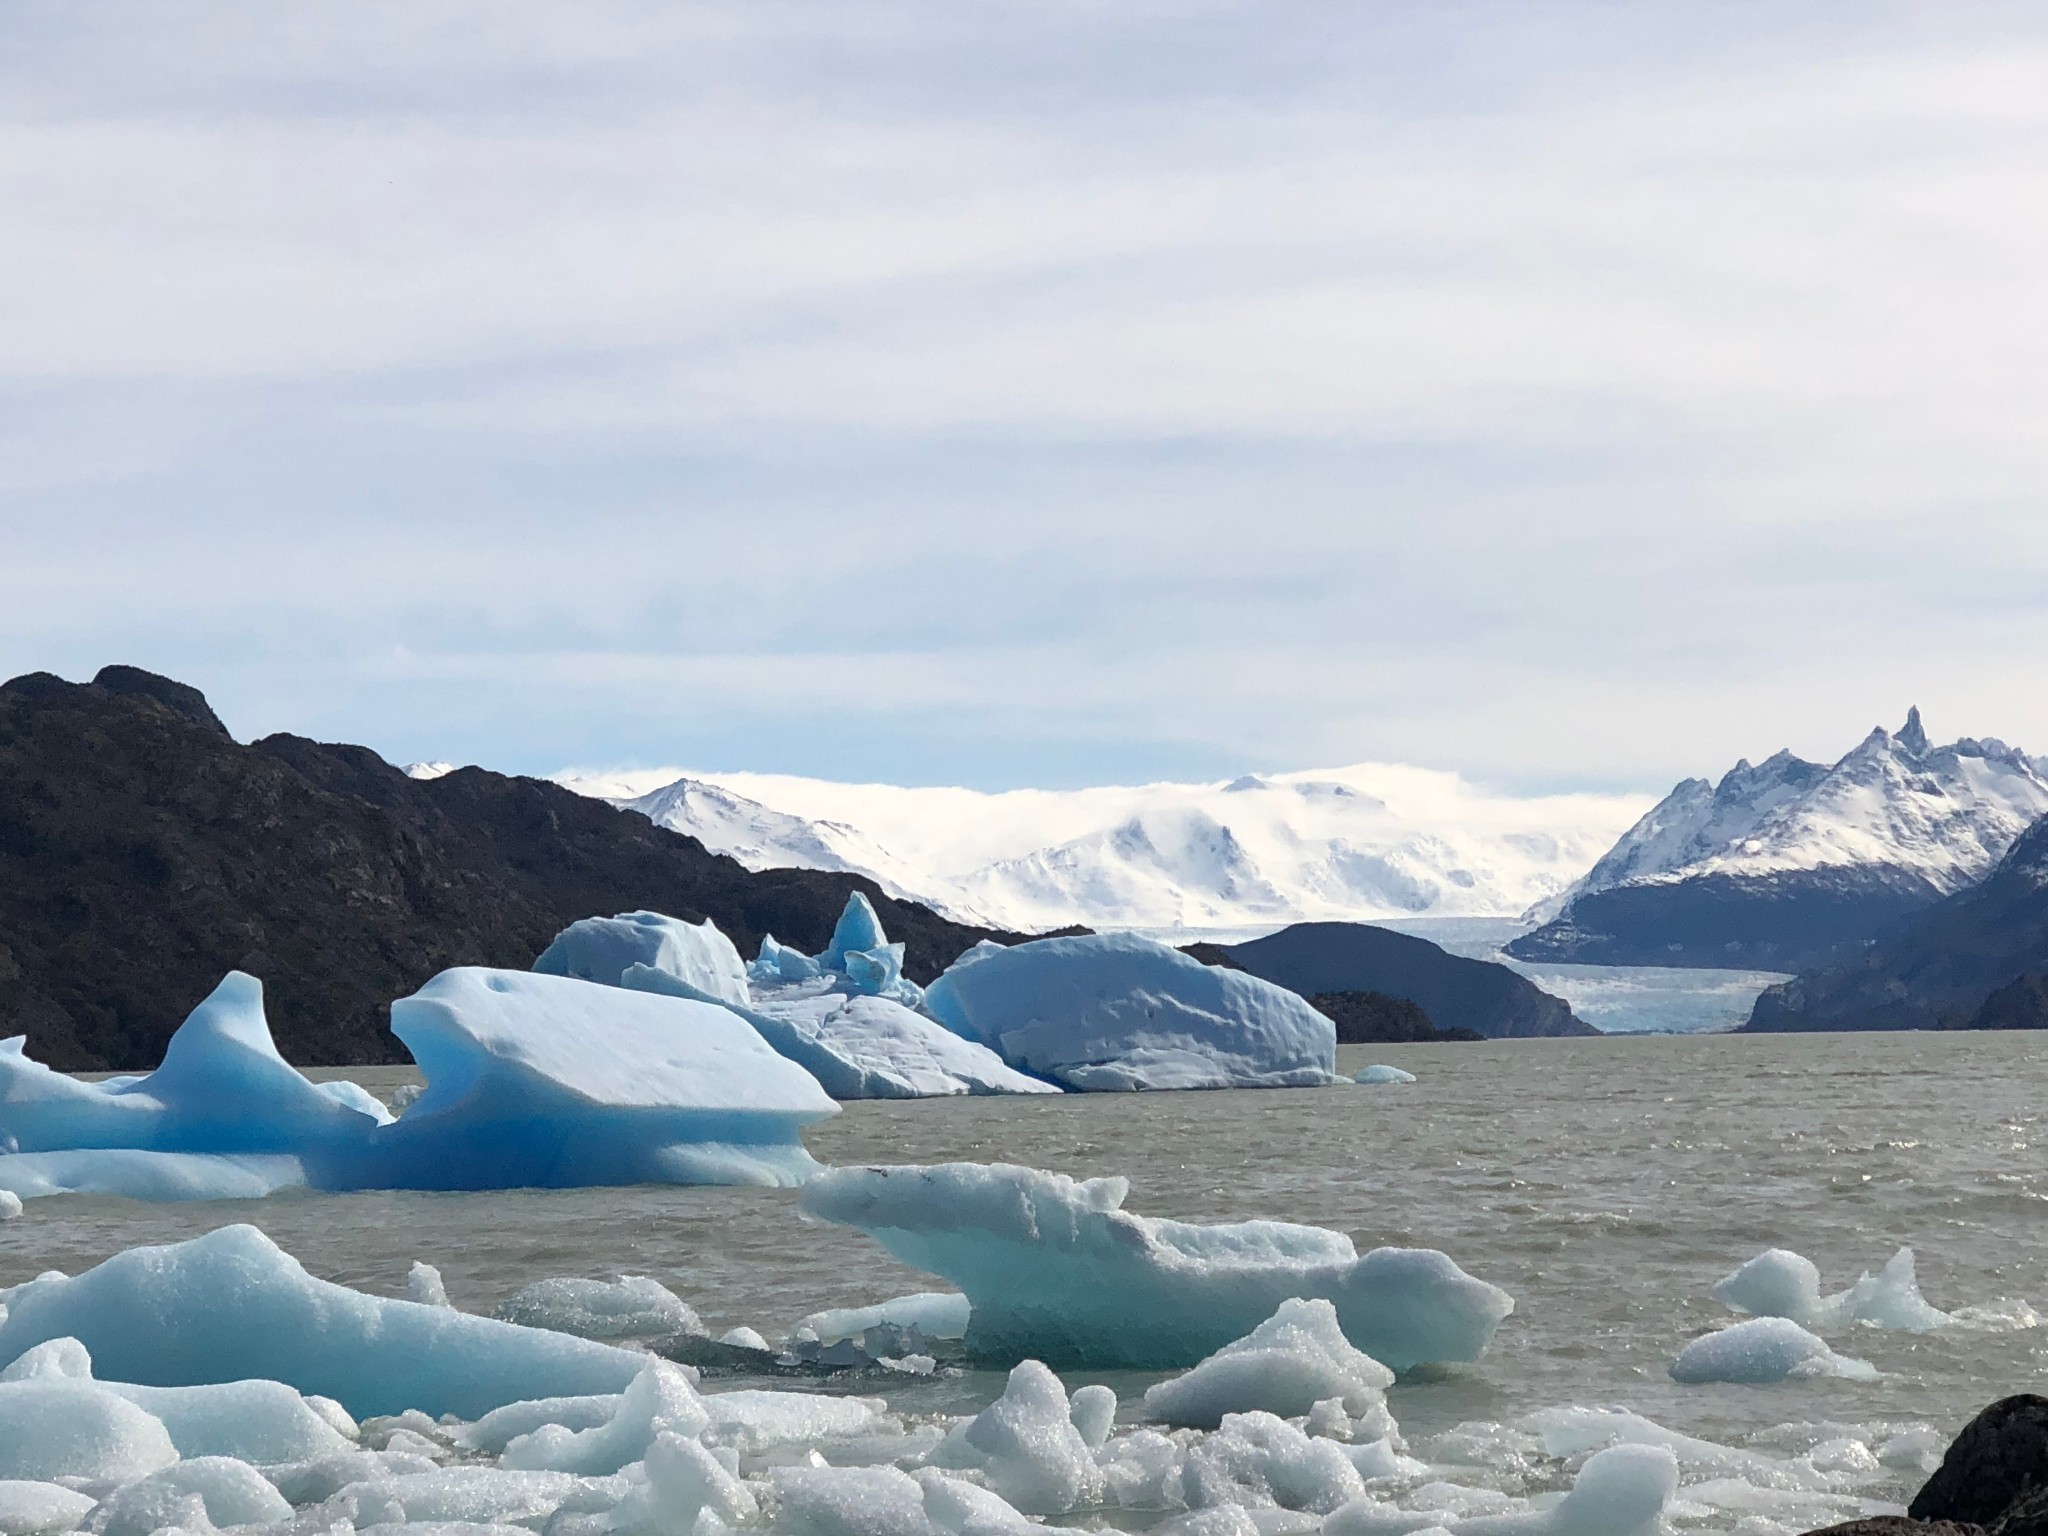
<point>1256,853</point>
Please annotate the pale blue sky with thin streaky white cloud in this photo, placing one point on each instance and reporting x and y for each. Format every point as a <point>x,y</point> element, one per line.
<point>1578,396</point>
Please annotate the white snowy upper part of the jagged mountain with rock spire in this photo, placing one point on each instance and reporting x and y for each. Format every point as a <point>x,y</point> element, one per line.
<point>1893,804</point>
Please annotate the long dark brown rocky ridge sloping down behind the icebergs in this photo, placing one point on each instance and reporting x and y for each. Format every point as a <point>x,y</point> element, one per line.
<point>144,853</point>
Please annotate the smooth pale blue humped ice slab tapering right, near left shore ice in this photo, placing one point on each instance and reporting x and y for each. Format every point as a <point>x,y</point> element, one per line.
<point>234,1308</point>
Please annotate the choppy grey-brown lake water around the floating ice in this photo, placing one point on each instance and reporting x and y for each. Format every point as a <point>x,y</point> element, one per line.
<point>1605,1183</point>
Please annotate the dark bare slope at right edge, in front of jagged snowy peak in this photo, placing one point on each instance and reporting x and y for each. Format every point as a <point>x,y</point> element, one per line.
<point>1971,962</point>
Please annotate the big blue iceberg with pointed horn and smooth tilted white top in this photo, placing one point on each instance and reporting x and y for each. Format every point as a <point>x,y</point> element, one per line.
<point>534,1080</point>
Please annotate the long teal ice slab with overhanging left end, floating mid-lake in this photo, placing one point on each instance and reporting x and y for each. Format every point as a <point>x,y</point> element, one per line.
<point>1058,1271</point>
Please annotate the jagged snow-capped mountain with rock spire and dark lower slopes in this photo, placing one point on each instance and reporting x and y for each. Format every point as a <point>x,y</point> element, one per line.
<point>1789,859</point>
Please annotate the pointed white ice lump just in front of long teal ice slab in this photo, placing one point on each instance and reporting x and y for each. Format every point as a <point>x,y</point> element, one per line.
<point>1287,1365</point>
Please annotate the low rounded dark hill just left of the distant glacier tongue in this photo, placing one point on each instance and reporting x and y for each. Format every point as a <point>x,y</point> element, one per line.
<point>1451,990</point>
